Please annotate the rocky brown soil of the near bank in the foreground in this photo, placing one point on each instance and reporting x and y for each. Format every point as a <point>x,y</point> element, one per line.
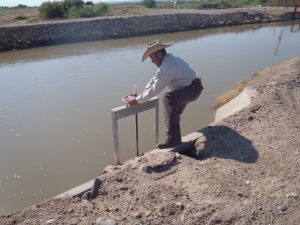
<point>243,170</point>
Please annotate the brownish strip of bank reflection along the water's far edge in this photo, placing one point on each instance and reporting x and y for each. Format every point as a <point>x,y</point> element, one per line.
<point>60,51</point>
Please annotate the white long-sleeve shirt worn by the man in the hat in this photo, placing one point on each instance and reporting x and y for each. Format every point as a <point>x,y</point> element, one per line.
<point>173,73</point>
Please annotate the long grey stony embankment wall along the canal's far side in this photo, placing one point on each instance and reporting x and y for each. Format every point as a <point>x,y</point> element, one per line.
<point>26,36</point>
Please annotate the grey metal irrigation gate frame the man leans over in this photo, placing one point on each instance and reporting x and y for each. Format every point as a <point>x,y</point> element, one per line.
<point>125,111</point>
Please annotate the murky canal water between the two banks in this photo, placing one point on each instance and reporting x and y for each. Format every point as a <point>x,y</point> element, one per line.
<point>55,121</point>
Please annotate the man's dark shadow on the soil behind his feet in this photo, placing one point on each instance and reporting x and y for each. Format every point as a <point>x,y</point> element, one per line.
<point>223,142</point>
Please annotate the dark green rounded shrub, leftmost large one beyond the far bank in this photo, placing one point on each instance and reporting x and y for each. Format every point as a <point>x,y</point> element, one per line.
<point>52,10</point>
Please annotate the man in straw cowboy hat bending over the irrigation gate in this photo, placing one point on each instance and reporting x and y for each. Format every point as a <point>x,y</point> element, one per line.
<point>183,83</point>
